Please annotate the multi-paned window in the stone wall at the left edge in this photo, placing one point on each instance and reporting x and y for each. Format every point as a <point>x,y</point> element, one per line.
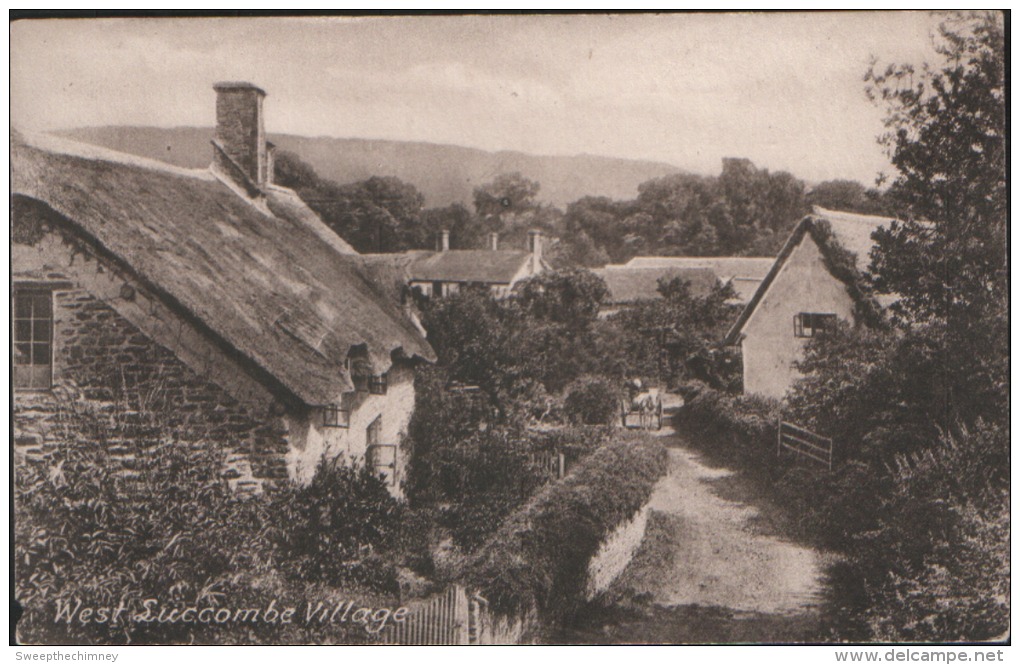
<point>33,337</point>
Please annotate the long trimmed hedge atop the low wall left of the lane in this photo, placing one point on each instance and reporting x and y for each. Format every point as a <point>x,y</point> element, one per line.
<point>538,561</point>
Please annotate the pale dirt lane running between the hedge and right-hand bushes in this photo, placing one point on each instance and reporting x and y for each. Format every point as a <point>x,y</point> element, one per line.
<point>705,573</point>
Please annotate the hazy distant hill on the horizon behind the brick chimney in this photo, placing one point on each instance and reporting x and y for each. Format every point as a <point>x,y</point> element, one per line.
<point>444,174</point>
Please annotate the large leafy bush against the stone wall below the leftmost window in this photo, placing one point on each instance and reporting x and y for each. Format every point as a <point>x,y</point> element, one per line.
<point>171,528</point>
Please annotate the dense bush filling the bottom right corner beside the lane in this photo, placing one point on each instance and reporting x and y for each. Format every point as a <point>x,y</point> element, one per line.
<point>940,551</point>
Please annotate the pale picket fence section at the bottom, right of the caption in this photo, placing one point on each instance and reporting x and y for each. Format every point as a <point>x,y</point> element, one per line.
<point>442,620</point>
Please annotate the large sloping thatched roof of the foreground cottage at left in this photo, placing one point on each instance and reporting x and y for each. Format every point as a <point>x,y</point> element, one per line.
<point>269,280</point>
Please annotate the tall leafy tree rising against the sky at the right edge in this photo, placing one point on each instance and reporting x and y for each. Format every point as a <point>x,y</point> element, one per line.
<point>948,264</point>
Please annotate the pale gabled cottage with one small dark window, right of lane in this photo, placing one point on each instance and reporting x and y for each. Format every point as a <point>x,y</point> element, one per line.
<point>800,298</point>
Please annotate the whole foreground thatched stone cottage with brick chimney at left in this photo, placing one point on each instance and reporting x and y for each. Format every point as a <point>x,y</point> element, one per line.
<point>213,293</point>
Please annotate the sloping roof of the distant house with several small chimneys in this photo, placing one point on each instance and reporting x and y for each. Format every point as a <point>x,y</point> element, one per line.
<point>486,267</point>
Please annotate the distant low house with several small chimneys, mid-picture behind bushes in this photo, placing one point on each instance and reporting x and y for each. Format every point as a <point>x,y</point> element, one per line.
<point>446,272</point>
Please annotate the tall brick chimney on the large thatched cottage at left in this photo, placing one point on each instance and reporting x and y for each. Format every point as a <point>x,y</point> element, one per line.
<point>240,148</point>
